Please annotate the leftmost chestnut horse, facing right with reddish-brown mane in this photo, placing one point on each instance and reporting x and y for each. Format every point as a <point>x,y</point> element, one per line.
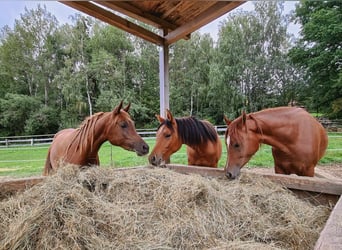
<point>80,146</point>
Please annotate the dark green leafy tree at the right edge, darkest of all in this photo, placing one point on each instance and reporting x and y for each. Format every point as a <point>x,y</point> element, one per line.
<point>319,52</point>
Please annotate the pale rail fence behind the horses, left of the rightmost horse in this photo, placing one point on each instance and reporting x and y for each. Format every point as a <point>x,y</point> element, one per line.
<point>43,140</point>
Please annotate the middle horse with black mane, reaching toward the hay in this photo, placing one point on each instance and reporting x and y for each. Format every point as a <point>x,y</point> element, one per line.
<point>203,144</point>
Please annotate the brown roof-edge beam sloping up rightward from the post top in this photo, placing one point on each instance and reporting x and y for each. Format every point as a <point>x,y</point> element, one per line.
<point>212,13</point>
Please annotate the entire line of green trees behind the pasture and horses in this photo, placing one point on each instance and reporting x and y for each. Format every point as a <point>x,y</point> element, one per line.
<point>52,76</point>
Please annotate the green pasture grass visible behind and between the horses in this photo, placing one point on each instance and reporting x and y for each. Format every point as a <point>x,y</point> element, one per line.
<point>29,161</point>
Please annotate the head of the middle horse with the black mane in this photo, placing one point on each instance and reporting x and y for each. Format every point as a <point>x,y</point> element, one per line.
<point>167,140</point>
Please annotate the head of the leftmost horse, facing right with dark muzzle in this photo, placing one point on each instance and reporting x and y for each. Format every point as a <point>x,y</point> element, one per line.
<point>121,131</point>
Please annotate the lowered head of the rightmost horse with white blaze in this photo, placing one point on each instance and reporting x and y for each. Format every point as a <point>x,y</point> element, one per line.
<point>241,145</point>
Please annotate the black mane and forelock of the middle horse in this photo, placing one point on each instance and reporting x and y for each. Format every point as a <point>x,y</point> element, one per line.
<point>193,131</point>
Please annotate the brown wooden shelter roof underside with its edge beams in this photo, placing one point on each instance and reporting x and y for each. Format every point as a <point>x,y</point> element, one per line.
<point>172,20</point>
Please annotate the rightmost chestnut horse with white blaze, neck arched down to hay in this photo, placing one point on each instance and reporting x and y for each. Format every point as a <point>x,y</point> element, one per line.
<point>298,140</point>
